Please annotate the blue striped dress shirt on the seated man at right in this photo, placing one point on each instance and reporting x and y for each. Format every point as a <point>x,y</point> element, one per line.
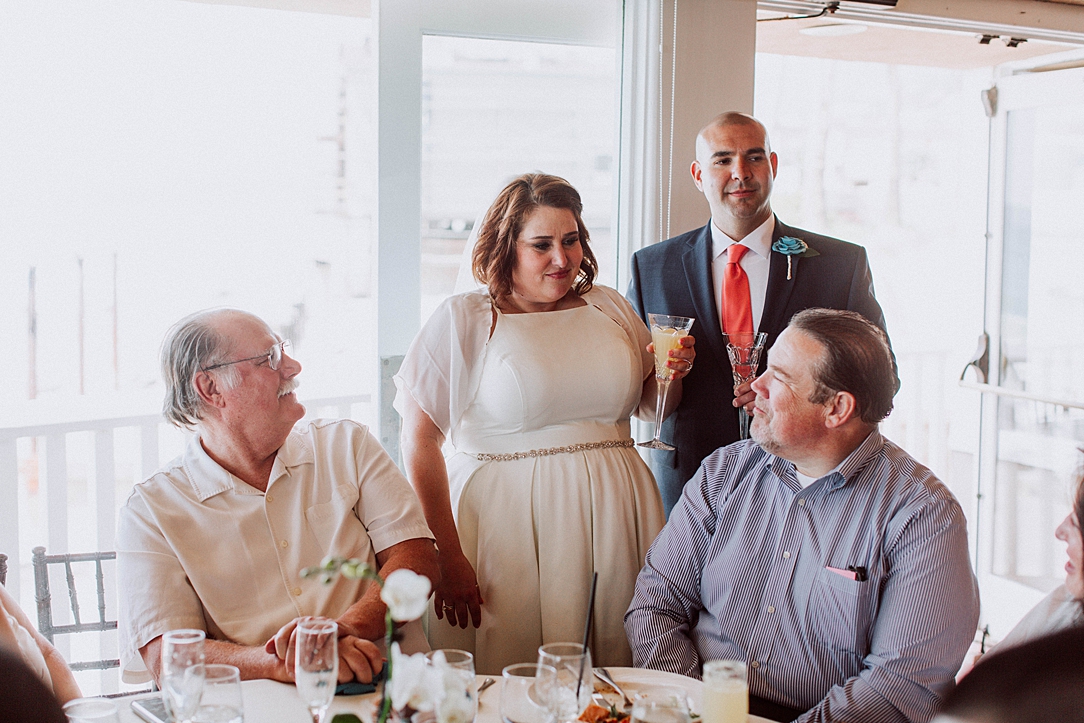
<point>742,572</point>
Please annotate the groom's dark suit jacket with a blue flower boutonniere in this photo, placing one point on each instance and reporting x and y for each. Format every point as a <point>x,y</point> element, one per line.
<point>675,278</point>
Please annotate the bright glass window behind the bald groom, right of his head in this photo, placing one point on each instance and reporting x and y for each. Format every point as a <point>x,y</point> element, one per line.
<point>894,158</point>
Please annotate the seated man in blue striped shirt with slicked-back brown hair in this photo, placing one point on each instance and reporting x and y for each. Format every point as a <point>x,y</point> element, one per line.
<point>820,553</point>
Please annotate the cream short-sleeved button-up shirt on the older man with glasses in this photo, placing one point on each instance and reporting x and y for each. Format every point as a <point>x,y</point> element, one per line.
<point>198,548</point>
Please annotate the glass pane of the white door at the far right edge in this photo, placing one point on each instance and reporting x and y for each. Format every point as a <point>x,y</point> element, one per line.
<point>1042,352</point>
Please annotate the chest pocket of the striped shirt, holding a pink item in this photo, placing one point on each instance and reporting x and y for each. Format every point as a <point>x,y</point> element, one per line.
<point>840,613</point>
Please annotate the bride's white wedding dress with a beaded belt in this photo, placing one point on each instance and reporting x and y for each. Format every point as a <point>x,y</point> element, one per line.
<point>536,528</point>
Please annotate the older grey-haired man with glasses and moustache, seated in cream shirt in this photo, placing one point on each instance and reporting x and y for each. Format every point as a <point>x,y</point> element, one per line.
<point>217,539</point>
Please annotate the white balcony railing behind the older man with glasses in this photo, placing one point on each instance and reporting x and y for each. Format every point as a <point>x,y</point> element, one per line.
<point>64,474</point>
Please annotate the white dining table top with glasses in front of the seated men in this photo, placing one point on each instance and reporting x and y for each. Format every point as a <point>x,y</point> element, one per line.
<point>269,702</point>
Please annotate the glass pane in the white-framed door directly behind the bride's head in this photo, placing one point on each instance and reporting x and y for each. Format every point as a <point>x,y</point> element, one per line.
<point>494,110</point>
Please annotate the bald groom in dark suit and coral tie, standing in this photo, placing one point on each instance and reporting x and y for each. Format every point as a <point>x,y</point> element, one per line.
<point>698,275</point>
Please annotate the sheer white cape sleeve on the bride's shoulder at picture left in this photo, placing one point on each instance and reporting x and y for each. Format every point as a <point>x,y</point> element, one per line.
<point>443,367</point>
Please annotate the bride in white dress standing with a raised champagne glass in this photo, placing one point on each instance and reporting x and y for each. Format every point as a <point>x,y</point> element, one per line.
<point>533,381</point>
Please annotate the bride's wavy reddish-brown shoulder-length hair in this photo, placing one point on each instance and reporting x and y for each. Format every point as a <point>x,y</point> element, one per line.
<point>494,260</point>
